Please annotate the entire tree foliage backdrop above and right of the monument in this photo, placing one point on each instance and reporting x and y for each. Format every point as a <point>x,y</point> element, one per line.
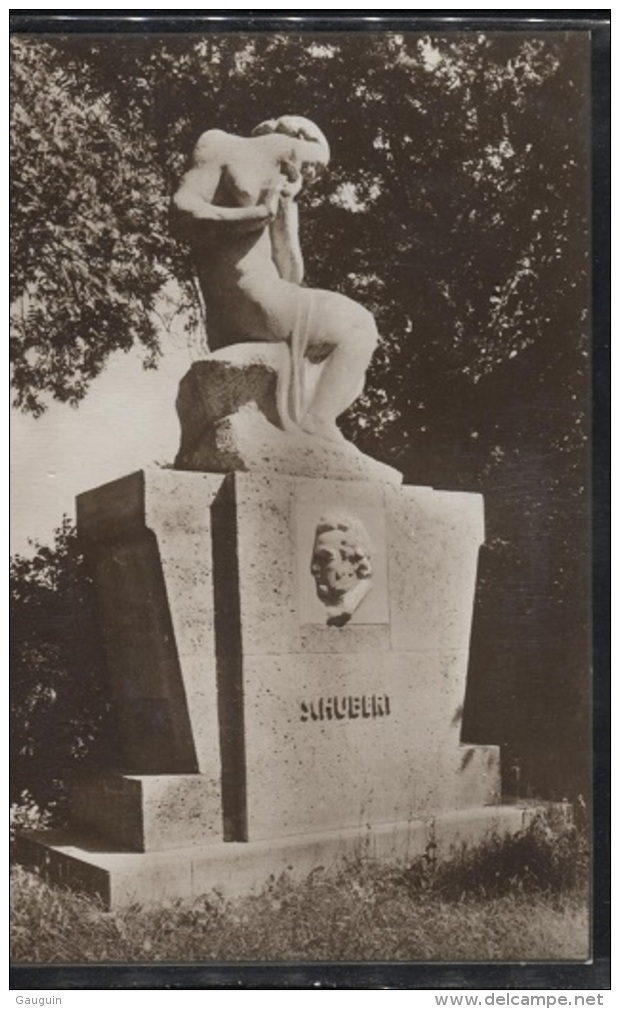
<point>456,208</point>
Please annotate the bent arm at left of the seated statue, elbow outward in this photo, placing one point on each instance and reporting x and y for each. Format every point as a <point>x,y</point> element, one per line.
<point>194,199</point>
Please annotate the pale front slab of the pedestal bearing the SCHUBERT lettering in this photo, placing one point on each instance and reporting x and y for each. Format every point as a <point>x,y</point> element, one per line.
<point>300,772</point>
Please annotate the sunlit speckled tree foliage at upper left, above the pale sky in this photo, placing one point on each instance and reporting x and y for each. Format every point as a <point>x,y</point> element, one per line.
<point>90,254</point>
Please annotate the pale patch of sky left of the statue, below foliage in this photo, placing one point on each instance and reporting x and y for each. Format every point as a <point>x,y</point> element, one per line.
<point>127,422</point>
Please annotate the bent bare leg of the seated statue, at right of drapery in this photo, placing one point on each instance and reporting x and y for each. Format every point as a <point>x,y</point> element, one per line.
<point>353,337</point>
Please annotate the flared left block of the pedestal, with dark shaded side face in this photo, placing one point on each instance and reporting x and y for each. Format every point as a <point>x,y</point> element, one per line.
<point>148,539</point>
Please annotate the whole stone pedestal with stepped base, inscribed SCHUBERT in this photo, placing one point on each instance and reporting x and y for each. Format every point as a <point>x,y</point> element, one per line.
<point>251,723</point>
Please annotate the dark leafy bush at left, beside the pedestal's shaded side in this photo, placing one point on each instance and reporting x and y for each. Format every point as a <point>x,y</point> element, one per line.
<point>59,699</point>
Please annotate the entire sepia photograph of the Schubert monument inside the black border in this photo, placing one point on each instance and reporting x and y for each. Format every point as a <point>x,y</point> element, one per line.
<point>301,346</point>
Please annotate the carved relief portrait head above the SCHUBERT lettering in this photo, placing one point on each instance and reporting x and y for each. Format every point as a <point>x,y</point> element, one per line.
<point>341,558</point>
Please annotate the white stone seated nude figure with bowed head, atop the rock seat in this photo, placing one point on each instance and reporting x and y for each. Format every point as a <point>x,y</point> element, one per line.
<point>238,205</point>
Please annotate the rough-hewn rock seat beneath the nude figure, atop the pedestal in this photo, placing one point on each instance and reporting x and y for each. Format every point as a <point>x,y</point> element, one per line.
<point>227,408</point>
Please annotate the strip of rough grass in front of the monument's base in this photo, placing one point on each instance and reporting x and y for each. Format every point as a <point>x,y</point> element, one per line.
<point>515,900</point>
